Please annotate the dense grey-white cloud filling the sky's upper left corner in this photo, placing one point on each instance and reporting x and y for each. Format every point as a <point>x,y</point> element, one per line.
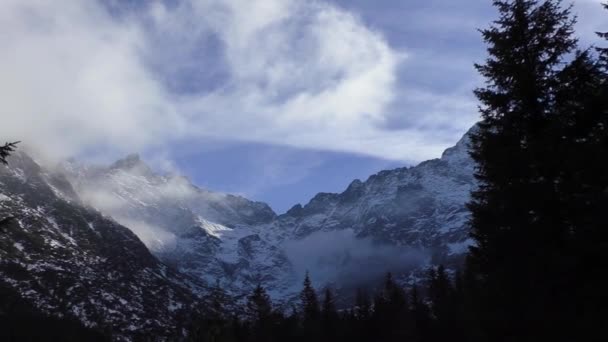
<point>71,80</point>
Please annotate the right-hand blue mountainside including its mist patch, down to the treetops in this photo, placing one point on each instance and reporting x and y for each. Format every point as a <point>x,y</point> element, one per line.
<point>398,220</point>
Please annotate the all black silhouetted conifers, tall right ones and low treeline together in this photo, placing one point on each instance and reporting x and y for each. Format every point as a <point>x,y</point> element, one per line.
<point>537,269</point>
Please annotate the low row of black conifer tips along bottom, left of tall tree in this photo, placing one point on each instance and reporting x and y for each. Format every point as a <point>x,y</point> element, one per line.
<point>434,312</point>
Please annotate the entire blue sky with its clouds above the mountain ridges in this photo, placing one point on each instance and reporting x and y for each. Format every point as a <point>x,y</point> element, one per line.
<point>272,99</point>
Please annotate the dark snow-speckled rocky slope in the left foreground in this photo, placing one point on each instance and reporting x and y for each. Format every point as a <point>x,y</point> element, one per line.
<point>68,259</point>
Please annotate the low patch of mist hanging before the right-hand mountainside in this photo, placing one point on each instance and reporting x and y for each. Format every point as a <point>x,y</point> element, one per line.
<point>332,257</point>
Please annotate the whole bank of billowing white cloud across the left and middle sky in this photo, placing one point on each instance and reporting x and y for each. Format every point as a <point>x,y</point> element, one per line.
<point>79,79</point>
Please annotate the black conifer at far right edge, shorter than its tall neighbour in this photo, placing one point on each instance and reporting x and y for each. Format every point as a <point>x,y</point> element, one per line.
<point>581,142</point>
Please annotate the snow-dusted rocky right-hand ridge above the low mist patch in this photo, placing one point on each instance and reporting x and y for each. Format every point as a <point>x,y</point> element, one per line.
<point>421,206</point>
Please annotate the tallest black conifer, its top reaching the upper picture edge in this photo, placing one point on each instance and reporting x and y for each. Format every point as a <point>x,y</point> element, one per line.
<point>515,233</point>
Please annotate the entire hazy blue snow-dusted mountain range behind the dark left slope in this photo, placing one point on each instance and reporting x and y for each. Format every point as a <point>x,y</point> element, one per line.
<point>410,216</point>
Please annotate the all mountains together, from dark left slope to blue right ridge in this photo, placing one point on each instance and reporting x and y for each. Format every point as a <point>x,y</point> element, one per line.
<point>125,247</point>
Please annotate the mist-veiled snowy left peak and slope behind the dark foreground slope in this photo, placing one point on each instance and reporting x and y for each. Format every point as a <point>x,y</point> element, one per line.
<point>211,236</point>
